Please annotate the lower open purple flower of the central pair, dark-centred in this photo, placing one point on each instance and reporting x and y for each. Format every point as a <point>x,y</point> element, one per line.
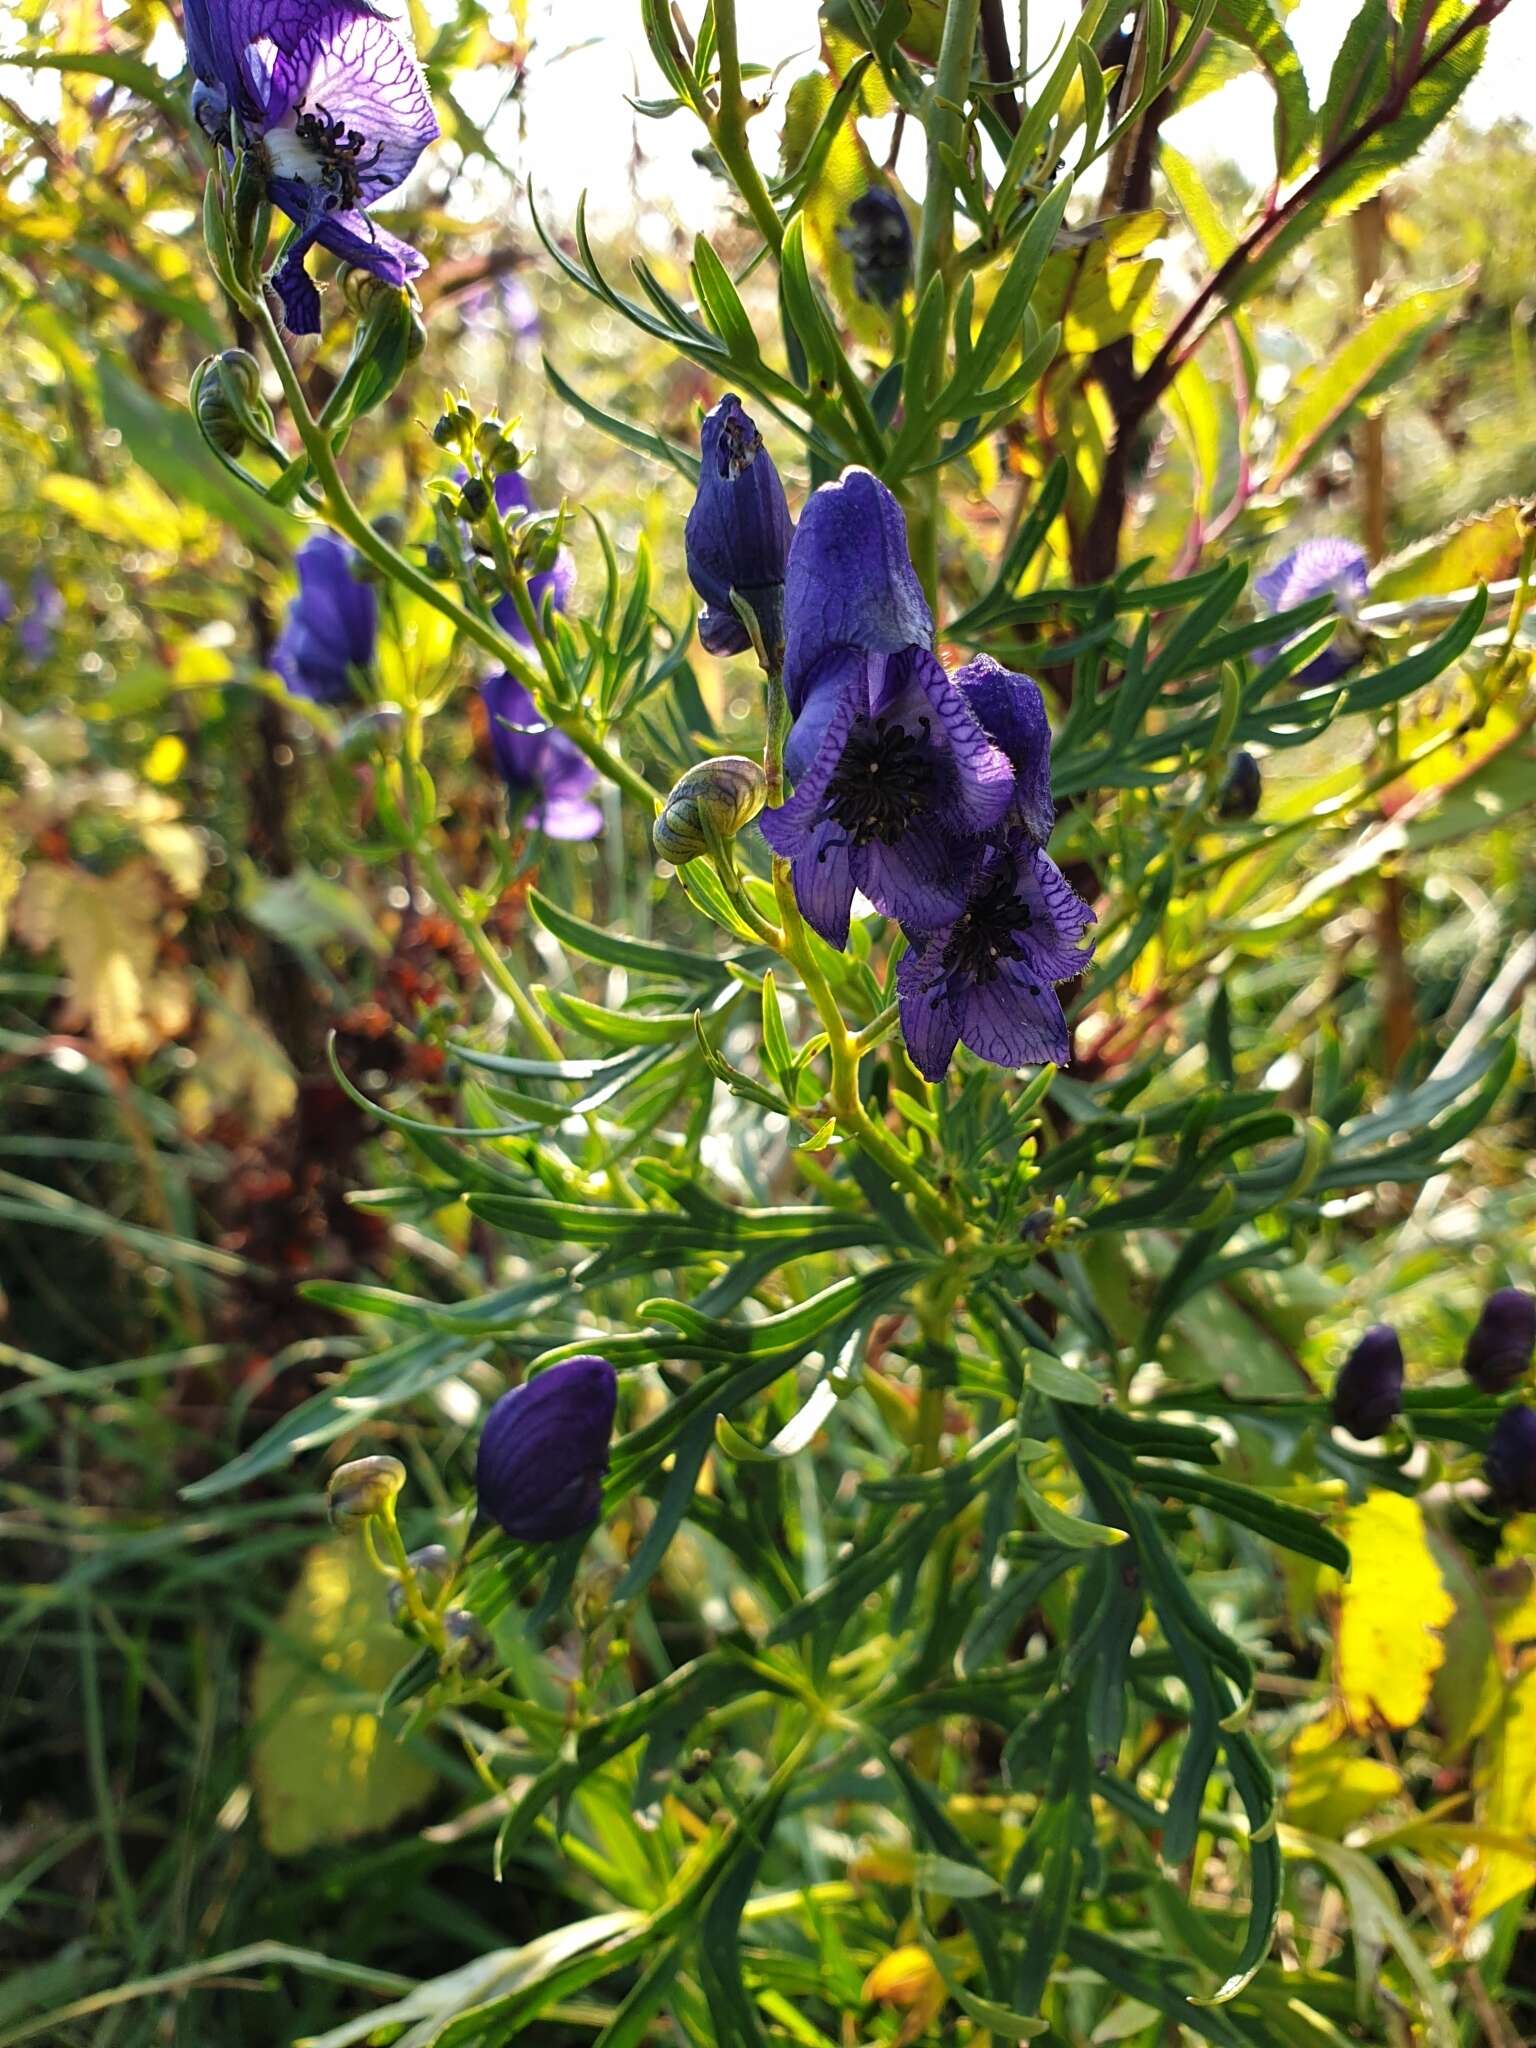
<point>986,978</point>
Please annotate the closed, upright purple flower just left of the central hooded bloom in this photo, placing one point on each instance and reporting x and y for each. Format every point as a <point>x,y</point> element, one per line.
<point>738,534</point>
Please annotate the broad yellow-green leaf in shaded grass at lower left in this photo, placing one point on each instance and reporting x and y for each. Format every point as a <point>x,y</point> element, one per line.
<point>323,1764</point>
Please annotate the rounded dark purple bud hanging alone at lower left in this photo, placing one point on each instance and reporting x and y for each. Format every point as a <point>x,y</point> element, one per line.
<point>546,1449</point>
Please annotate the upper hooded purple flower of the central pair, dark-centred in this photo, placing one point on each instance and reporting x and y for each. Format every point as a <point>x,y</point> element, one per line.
<point>896,779</point>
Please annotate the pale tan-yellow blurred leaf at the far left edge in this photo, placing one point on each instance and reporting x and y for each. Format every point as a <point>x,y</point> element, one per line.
<point>108,933</point>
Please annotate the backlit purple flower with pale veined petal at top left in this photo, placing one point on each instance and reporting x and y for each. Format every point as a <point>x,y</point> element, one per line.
<point>337,108</point>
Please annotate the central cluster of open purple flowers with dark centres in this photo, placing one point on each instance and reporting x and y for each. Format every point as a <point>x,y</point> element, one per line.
<point>923,792</point>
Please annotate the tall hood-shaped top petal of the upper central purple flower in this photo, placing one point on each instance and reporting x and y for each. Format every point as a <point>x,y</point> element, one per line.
<point>851,581</point>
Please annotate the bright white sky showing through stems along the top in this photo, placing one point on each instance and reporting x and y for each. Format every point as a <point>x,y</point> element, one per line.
<point>581,134</point>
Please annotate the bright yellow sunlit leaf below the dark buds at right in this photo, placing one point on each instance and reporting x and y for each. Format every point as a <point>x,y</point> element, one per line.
<point>1390,1611</point>
